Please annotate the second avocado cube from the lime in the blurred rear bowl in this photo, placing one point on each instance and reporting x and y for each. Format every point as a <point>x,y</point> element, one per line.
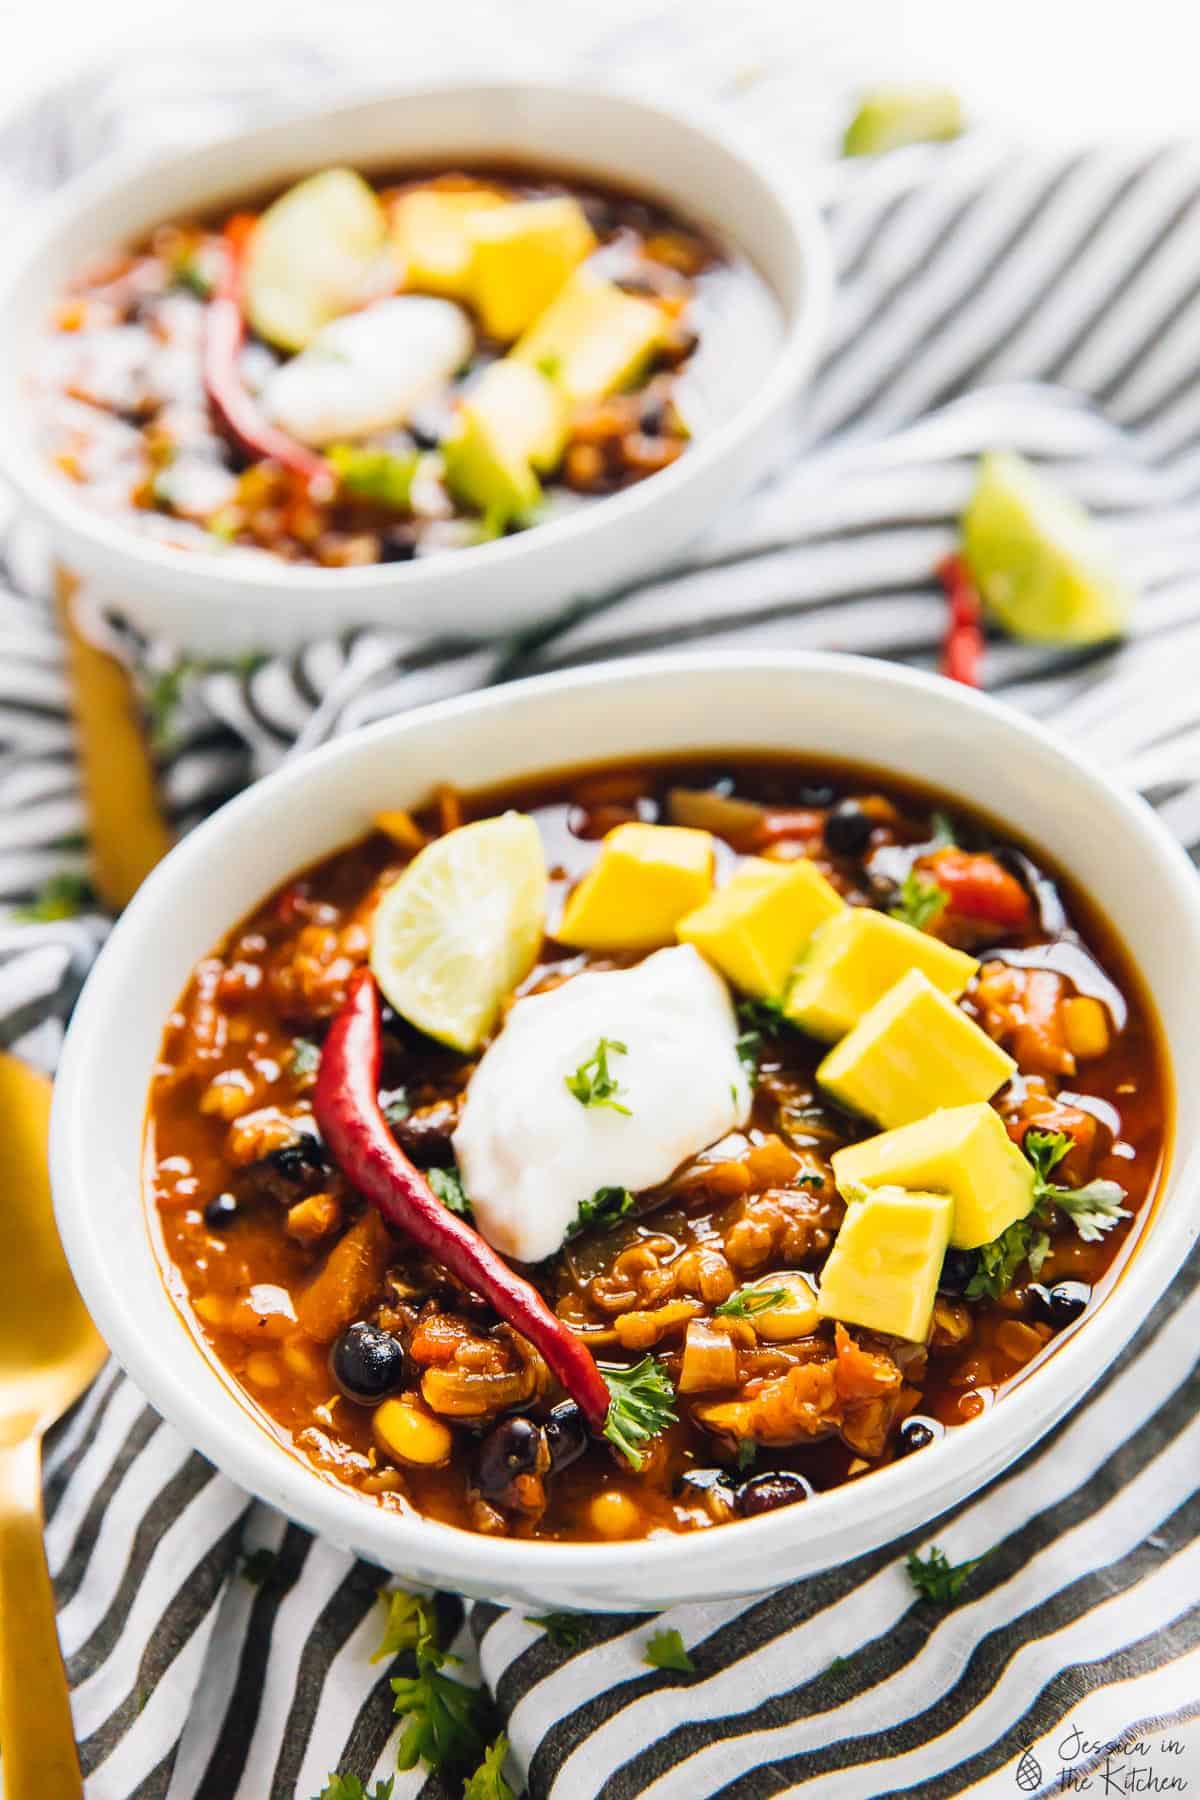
<point>521,256</point>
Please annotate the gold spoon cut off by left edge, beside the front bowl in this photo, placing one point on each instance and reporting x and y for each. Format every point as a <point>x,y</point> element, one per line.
<point>49,1353</point>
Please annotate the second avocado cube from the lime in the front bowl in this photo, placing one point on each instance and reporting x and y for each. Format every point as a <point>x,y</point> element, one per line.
<point>757,926</point>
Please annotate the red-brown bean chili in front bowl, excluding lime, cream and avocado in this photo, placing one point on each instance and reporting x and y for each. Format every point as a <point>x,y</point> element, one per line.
<point>411,1362</point>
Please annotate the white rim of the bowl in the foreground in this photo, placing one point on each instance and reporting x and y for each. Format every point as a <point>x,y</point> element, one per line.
<point>276,1473</point>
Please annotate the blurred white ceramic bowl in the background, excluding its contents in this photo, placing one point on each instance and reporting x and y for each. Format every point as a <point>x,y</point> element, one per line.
<point>220,606</point>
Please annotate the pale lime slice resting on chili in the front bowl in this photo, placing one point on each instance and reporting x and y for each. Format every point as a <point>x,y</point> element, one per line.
<point>461,928</point>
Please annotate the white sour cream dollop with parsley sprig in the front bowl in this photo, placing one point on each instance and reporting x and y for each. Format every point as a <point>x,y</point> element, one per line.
<point>530,1151</point>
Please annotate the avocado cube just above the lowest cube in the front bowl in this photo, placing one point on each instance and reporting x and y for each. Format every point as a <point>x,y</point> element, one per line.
<point>963,1153</point>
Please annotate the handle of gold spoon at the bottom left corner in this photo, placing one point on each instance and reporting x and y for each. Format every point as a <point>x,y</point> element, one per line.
<point>37,1734</point>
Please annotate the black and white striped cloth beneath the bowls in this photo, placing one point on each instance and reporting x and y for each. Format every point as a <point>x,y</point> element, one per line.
<point>989,298</point>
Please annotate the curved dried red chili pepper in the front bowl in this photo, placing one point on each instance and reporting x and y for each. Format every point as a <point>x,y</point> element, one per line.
<point>357,1135</point>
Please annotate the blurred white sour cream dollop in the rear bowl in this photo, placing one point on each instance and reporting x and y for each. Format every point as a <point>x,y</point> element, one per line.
<point>370,372</point>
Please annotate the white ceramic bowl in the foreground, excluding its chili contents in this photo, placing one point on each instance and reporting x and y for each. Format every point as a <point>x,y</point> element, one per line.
<point>837,706</point>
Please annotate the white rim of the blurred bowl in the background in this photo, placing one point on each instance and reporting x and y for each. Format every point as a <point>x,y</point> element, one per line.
<point>803,334</point>
